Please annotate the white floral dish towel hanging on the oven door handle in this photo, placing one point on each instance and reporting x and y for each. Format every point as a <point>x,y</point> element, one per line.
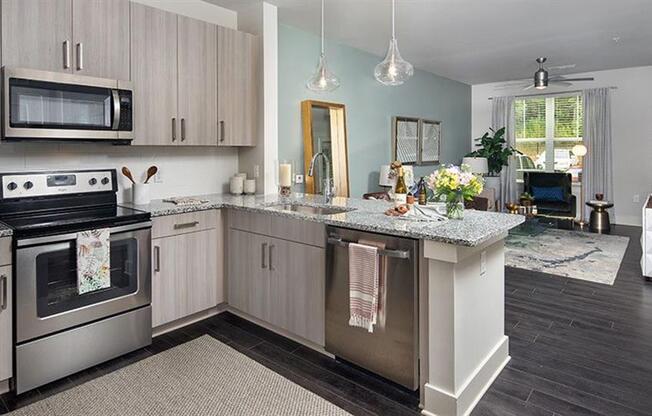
<point>93,260</point>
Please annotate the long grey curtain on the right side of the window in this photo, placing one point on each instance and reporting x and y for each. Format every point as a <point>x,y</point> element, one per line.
<point>597,174</point>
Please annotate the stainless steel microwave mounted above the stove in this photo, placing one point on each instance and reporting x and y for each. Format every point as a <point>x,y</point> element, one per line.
<point>42,105</point>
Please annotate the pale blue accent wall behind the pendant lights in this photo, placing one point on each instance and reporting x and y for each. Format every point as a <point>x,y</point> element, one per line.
<point>370,106</point>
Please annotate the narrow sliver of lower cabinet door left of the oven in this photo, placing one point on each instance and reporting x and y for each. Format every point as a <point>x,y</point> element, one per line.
<point>6,323</point>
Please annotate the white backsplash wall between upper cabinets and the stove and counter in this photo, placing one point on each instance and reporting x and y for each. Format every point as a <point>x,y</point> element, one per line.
<point>184,170</point>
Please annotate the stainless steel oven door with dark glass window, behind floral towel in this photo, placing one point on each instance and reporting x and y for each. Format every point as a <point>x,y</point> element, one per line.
<point>47,297</point>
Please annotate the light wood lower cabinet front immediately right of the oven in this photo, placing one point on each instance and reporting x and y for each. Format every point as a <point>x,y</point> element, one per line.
<point>187,276</point>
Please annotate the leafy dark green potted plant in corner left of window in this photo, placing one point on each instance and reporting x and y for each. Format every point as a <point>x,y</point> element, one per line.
<point>493,146</point>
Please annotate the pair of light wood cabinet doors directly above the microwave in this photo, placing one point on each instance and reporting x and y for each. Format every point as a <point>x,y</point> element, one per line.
<point>86,37</point>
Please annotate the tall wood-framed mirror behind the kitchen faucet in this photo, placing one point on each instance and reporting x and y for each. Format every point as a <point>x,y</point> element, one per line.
<point>324,130</point>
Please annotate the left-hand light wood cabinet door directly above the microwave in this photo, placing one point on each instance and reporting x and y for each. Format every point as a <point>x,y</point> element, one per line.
<point>37,34</point>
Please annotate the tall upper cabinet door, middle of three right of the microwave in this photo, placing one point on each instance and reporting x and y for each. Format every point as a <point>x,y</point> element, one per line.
<point>197,57</point>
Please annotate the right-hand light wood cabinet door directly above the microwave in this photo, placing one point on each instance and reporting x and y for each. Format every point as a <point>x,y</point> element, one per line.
<point>101,38</point>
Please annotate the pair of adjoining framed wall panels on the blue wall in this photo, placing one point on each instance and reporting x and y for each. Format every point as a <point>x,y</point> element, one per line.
<point>416,141</point>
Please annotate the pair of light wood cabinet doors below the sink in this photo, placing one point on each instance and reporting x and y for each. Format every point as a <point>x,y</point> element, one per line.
<point>278,281</point>
